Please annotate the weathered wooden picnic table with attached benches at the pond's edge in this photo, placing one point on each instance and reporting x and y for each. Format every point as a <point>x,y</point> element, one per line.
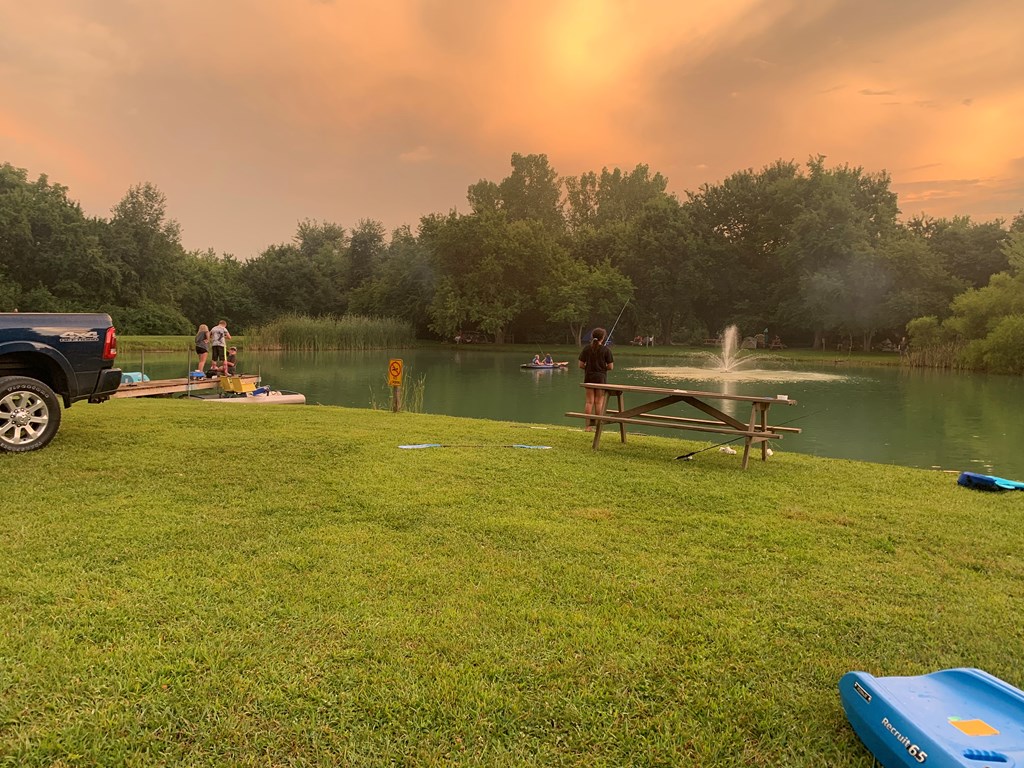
<point>755,432</point>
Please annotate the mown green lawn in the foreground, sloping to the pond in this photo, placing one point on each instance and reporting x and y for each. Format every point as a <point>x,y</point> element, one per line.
<point>193,584</point>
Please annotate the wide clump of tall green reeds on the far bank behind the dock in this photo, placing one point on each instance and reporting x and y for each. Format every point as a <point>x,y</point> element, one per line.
<point>305,333</point>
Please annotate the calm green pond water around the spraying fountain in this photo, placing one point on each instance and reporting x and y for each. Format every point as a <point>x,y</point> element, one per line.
<point>915,418</point>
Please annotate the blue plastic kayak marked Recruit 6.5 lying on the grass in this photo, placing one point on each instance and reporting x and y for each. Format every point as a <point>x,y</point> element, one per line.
<point>960,718</point>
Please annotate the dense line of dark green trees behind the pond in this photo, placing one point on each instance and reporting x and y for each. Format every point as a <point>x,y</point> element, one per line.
<point>816,253</point>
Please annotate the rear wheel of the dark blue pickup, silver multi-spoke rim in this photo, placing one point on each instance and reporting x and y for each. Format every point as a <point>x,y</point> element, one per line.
<point>30,414</point>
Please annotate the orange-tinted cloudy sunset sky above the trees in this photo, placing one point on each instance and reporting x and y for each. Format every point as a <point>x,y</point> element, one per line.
<point>252,115</point>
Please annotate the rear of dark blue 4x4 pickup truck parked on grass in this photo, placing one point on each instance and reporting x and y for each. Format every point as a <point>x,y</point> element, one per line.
<point>45,357</point>
